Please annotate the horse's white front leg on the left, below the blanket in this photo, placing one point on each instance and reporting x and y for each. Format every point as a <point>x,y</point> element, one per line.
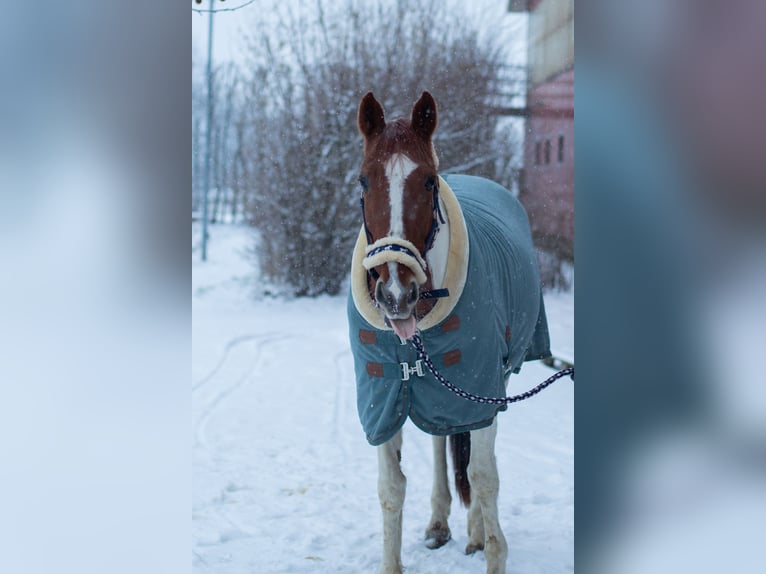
<point>391,487</point>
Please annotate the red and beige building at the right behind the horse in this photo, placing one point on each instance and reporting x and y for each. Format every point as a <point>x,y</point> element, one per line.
<point>547,183</point>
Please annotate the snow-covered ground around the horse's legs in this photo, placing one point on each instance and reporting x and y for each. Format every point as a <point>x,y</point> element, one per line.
<point>283,478</point>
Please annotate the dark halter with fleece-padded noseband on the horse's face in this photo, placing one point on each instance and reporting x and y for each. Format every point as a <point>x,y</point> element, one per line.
<point>398,250</point>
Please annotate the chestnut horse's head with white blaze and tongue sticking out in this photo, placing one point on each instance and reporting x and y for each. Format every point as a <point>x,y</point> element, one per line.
<point>400,186</point>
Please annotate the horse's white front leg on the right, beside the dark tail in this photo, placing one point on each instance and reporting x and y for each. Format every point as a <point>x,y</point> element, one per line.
<point>485,484</point>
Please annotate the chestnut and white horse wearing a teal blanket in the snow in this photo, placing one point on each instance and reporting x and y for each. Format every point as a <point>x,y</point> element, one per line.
<point>449,258</point>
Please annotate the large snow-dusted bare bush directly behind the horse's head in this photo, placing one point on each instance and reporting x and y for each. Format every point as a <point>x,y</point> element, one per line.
<point>303,152</point>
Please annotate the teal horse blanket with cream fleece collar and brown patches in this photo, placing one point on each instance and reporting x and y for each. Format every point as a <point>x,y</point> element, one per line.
<point>493,321</point>
